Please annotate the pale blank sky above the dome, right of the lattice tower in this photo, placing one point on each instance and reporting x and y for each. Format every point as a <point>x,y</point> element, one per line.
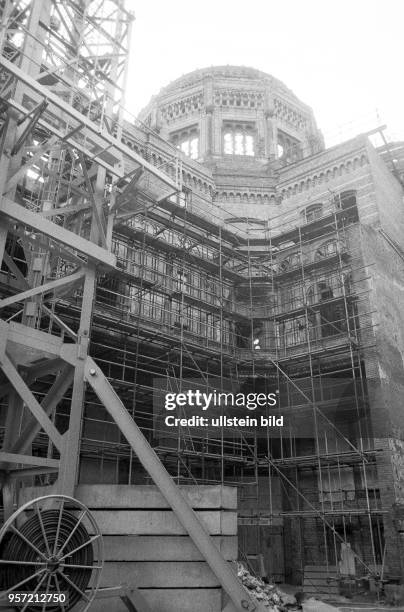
<point>342,57</point>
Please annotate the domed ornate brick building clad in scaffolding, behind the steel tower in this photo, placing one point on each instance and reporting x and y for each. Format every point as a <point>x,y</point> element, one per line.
<point>279,266</point>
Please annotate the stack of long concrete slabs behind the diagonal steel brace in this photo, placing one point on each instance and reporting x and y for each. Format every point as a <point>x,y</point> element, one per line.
<point>146,546</point>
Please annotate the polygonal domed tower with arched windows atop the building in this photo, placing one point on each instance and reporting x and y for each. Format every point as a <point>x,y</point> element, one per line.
<point>233,113</point>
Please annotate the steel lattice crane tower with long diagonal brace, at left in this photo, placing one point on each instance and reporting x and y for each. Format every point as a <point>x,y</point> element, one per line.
<point>57,208</point>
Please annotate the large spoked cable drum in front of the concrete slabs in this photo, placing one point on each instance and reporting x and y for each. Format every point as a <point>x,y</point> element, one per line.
<point>51,545</point>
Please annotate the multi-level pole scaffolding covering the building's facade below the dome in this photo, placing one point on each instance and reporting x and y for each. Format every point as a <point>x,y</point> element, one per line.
<point>183,311</point>
